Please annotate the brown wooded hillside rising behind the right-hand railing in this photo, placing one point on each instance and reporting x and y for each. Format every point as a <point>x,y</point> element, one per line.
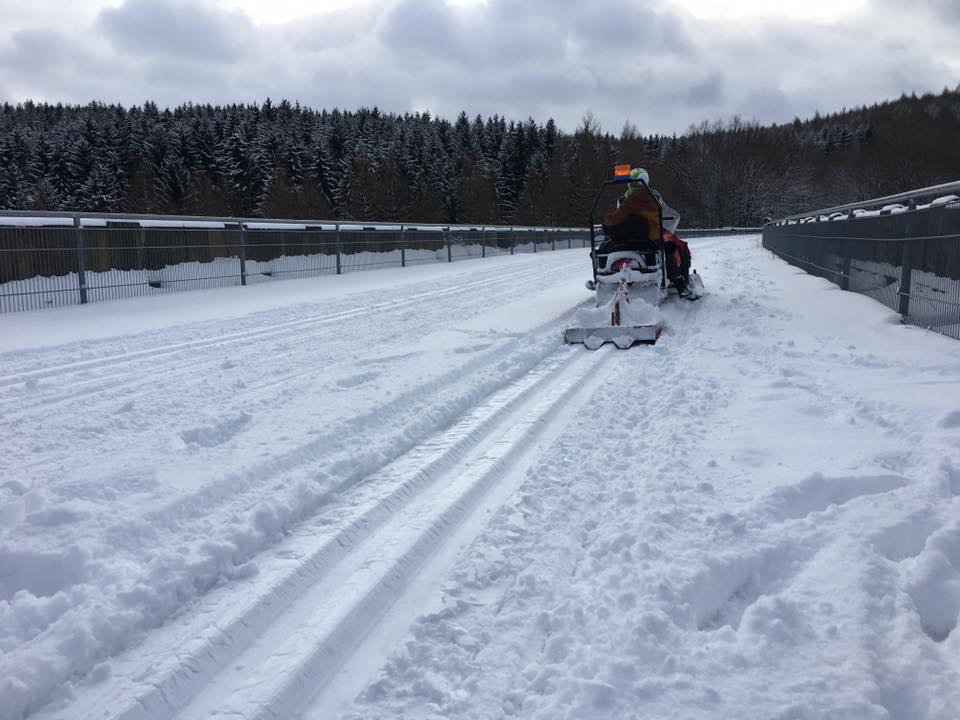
<point>740,173</point>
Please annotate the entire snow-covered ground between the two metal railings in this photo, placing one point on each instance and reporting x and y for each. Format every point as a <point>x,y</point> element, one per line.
<point>398,494</point>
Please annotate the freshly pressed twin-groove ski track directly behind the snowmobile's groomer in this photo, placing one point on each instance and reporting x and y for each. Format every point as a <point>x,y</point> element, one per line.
<point>265,647</point>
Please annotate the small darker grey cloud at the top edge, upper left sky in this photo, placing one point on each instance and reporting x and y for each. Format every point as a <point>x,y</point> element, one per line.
<point>177,28</point>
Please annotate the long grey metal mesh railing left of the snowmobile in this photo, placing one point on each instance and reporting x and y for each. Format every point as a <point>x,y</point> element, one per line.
<point>55,259</point>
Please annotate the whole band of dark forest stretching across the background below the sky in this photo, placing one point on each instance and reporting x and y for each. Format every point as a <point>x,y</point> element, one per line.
<point>287,161</point>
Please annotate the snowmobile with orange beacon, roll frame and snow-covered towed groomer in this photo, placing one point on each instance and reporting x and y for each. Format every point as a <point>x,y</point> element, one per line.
<point>629,273</point>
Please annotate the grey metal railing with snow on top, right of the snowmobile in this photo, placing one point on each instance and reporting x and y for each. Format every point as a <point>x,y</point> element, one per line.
<point>906,256</point>
